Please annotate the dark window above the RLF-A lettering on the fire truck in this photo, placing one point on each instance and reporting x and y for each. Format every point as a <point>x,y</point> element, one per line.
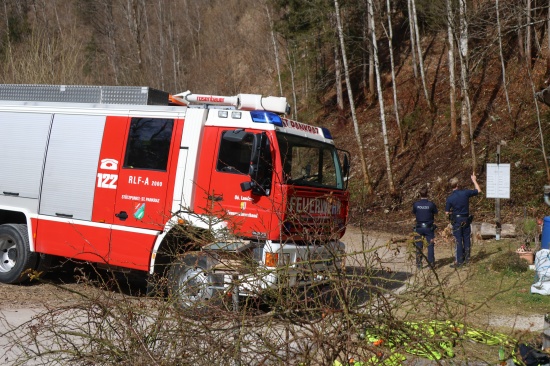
<point>148,143</point>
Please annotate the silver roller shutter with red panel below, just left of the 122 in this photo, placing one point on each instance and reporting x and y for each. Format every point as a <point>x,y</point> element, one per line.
<point>65,225</point>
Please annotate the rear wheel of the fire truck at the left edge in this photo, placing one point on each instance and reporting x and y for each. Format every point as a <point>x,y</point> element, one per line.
<point>16,256</point>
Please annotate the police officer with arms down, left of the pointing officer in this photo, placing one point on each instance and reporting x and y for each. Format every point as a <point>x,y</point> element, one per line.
<point>425,211</point>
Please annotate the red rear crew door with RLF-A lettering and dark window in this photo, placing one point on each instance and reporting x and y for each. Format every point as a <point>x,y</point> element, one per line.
<point>141,207</point>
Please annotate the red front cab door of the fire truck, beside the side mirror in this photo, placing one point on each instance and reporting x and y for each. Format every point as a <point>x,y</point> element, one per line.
<point>246,212</point>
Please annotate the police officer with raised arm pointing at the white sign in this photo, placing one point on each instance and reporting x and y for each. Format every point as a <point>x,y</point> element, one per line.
<point>458,207</point>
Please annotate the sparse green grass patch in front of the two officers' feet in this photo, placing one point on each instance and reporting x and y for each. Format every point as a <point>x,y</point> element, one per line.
<point>496,286</point>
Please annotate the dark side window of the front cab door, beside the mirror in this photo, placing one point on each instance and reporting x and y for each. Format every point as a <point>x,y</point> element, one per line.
<point>234,157</point>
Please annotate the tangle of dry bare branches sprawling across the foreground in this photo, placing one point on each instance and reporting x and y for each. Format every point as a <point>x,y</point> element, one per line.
<point>107,324</point>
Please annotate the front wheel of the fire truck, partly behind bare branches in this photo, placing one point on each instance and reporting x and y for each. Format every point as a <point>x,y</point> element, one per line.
<point>188,282</point>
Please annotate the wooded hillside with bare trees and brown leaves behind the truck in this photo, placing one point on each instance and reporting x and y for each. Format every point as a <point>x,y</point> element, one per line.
<point>419,91</point>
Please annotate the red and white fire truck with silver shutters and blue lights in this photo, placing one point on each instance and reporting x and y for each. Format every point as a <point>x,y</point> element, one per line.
<point>185,186</point>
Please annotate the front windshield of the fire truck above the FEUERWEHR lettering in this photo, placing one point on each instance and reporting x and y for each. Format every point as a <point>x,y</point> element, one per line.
<point>309,162</point>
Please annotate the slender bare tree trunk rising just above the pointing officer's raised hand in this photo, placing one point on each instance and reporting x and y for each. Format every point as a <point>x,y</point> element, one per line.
<point>466,107</point>
